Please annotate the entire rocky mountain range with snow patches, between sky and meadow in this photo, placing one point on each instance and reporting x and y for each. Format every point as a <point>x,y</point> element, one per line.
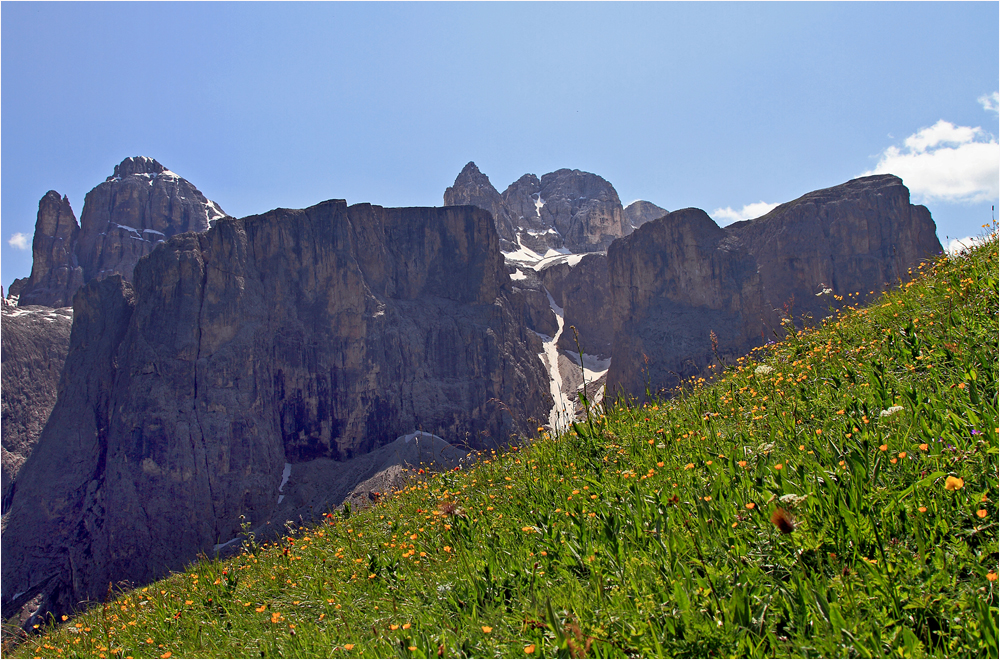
<point>273,366</point>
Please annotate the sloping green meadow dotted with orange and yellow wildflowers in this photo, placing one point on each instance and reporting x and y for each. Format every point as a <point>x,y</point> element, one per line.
<point>648,530</point>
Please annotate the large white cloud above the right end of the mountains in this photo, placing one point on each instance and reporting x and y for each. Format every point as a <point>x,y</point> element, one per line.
<point>947,163</point>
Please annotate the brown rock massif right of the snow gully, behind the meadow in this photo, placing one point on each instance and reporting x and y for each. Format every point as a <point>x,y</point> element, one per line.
<point>677,279</point>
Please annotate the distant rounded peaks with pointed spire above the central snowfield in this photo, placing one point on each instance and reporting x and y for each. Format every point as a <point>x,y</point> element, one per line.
<point>566,210</point>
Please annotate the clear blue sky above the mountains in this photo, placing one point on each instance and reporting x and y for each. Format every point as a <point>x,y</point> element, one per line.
<point>713,105</point>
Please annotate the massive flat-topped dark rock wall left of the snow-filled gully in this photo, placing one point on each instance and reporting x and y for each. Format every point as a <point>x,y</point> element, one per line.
<point>292,337</point>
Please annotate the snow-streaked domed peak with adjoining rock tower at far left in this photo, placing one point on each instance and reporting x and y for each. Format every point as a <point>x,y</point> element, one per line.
<point>124,218</point>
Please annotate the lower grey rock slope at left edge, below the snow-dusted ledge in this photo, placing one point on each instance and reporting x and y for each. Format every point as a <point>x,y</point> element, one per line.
<point>35,341</point>
